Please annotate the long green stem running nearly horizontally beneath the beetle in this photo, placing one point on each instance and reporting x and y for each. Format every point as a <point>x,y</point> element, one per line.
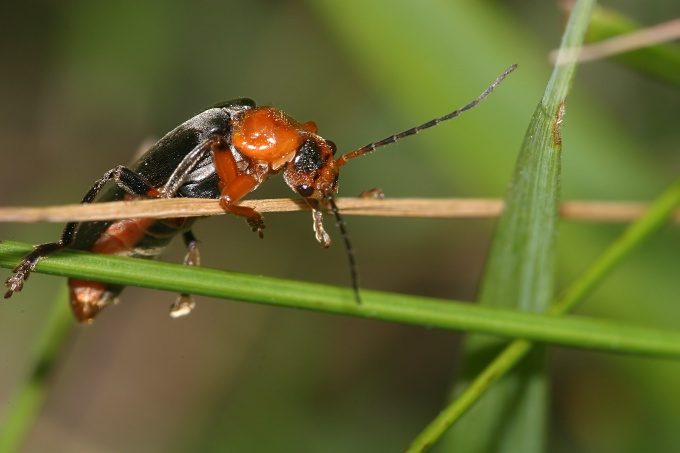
<point>427,312</point>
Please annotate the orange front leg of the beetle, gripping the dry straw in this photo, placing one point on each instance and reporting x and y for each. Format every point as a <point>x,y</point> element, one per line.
<point>234,186</point>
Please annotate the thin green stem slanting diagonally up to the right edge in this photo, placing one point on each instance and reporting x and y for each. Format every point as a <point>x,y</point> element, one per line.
<point>658,215</point>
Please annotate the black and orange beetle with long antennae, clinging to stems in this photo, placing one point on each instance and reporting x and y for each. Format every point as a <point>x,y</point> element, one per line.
<point>224,152</point>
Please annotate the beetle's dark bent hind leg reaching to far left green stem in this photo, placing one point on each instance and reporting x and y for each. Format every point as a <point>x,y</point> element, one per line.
<point>127,179</point>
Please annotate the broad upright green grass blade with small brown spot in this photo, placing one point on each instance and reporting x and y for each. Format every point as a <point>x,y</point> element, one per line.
<point>520,273</point>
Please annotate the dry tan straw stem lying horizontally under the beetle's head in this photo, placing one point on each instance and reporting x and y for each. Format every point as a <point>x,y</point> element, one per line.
<point>401,207</point>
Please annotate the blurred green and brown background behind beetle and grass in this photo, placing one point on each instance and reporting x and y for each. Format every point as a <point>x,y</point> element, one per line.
<point>85,84</point>
